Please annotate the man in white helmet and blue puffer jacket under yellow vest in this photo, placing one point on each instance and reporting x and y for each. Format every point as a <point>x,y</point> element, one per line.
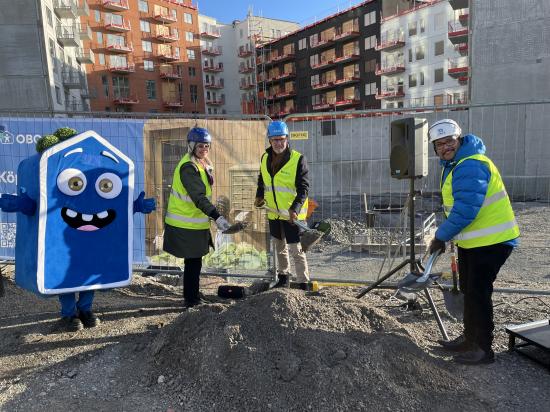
<point>481,222</point>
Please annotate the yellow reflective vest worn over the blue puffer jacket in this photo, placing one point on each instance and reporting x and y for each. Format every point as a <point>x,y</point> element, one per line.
<point>495,222</point>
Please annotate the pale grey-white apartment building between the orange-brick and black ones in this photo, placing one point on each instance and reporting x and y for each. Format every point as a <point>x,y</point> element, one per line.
<point>228,60</point>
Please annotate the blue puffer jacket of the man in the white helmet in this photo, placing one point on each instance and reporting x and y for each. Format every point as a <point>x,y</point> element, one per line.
<point>470,181</point>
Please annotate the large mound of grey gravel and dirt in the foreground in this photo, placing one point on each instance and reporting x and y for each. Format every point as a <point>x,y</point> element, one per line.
<point>281,351</point>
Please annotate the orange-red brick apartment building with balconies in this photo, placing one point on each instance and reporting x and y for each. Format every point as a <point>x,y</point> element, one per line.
<point>146,56</point>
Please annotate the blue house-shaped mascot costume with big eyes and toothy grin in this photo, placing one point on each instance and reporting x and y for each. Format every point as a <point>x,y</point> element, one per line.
<point>75,222</point>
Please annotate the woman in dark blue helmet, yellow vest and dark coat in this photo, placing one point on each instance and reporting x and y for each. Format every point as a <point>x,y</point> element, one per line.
<point>187,222</point>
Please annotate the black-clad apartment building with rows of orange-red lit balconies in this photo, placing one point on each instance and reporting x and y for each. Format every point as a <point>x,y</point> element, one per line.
<point>326,66</point>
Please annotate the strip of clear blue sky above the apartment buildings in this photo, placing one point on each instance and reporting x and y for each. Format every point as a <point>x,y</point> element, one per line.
<point>299,11</point>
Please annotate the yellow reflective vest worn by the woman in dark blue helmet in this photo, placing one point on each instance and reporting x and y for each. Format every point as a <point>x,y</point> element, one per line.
<point>181,211</point>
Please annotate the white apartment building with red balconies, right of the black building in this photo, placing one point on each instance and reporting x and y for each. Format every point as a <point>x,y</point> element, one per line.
<point>424,54</point>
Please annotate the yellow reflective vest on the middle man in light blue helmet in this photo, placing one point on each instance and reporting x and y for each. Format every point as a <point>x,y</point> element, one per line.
<point>280,191</point>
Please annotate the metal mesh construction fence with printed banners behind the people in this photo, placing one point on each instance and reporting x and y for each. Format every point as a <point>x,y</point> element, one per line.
<point>350,182</point>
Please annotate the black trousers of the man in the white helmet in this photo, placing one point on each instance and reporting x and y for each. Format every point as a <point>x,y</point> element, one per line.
<point>478,269</point>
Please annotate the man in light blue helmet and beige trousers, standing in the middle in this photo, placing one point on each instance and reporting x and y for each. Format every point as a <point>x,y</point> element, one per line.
<point>283,186</point>
